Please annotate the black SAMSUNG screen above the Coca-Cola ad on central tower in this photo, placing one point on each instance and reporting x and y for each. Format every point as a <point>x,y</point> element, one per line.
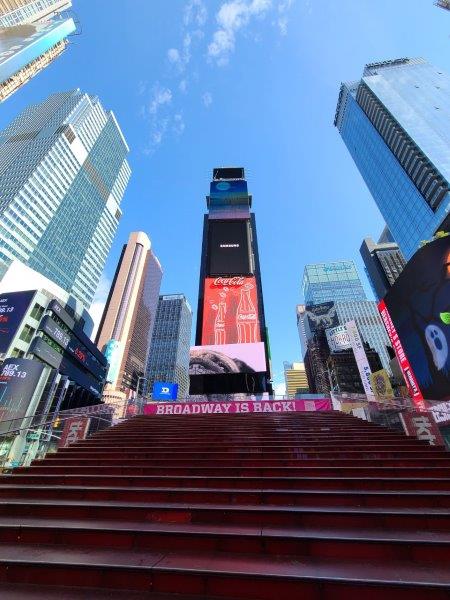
<point>229,248</point>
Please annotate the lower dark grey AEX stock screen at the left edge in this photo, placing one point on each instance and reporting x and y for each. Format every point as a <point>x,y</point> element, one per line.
<point>19,378</point>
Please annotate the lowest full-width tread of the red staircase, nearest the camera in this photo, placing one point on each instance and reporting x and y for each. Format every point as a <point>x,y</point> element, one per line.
<point>379,572</point>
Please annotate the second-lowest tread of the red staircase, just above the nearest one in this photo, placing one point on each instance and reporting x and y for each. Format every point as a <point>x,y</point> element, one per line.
<point>392,535</point>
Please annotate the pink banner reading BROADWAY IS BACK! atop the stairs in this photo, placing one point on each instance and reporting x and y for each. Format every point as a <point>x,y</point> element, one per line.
<point>203,408</point>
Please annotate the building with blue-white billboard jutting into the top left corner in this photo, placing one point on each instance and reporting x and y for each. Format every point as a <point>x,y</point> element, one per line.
<point>30,39</point>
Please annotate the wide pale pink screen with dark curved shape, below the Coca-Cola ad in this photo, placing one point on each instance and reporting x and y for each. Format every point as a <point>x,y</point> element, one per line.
<point>230,358</point>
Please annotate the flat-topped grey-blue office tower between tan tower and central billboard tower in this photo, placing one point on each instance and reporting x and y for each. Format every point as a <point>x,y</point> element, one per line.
<point>168,359</point>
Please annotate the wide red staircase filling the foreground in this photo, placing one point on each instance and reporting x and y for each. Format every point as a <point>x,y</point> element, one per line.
<point>313,506</point>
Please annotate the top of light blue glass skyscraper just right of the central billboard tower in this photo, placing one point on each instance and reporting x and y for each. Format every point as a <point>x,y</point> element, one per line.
<point>332,282</point>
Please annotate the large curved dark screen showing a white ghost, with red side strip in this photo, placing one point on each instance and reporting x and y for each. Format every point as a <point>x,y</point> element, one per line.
<point>416,313</point>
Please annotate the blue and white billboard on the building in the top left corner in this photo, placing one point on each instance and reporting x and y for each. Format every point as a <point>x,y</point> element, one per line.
<point>21,44</point>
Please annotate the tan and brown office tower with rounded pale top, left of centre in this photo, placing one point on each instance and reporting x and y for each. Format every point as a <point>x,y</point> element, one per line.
<point>127,323</point>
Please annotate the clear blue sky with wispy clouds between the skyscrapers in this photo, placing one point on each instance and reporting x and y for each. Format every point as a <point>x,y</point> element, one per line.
<point>253,83</point>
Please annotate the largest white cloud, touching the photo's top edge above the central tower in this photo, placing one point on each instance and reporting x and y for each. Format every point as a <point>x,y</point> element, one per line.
<point>232,17</point>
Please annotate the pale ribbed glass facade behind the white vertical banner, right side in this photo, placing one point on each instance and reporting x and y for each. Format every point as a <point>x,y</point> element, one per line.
<point>370,325</point>
